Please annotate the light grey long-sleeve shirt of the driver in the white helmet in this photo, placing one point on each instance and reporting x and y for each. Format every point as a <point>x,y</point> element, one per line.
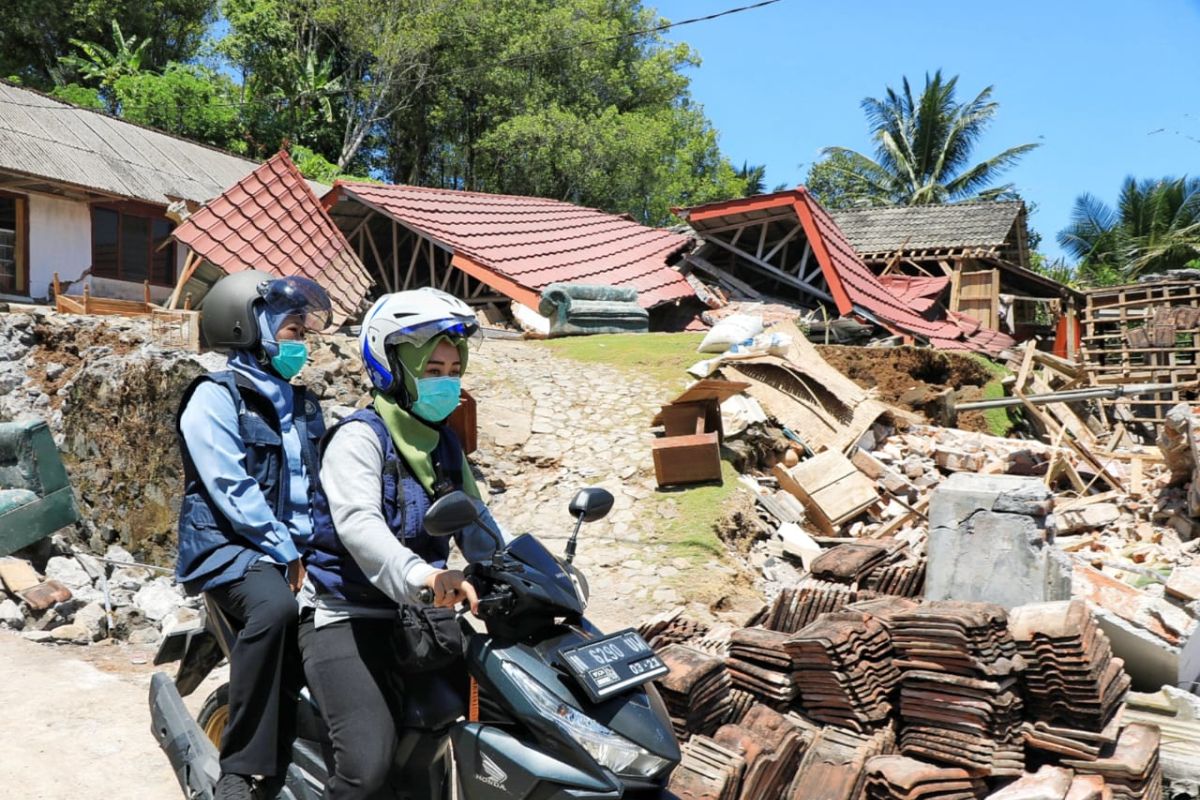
<point>351,476</point>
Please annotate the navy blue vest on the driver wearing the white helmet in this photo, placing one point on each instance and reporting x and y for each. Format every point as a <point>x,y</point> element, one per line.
<point>405,502</point>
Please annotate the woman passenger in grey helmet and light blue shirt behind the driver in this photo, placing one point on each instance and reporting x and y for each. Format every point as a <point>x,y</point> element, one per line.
<point>249,441</point>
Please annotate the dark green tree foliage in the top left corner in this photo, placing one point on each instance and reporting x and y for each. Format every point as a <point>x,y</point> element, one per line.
<point>35,34</point>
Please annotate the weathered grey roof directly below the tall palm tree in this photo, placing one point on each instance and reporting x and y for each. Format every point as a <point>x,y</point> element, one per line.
<point>928,227</point>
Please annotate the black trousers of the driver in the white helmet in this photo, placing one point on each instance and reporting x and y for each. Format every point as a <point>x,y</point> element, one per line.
<point>350,666</point>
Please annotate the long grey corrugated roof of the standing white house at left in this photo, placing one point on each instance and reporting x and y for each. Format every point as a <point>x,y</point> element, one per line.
<point>58,142</point>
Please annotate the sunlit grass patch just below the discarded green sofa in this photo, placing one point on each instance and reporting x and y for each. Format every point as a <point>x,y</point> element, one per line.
<point>662,357</point>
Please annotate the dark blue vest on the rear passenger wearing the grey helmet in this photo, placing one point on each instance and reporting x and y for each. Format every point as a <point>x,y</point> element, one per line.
<point>211,551</point>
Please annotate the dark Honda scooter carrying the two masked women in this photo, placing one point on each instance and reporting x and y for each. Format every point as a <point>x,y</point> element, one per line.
<point>554,709</point>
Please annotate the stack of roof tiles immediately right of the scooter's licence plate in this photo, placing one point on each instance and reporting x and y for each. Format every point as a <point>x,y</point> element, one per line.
<point>697,691</point>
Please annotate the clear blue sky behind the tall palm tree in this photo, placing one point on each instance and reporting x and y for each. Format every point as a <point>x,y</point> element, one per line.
<point>1089,81</point>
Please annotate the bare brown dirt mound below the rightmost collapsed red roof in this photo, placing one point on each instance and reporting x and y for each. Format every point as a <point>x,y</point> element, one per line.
<point>914,377</point>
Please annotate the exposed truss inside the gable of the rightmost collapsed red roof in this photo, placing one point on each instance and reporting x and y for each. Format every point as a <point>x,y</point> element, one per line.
<point>765,256</point>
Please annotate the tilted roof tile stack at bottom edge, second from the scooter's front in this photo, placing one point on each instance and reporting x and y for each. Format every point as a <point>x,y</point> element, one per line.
<point>772,747</point>
